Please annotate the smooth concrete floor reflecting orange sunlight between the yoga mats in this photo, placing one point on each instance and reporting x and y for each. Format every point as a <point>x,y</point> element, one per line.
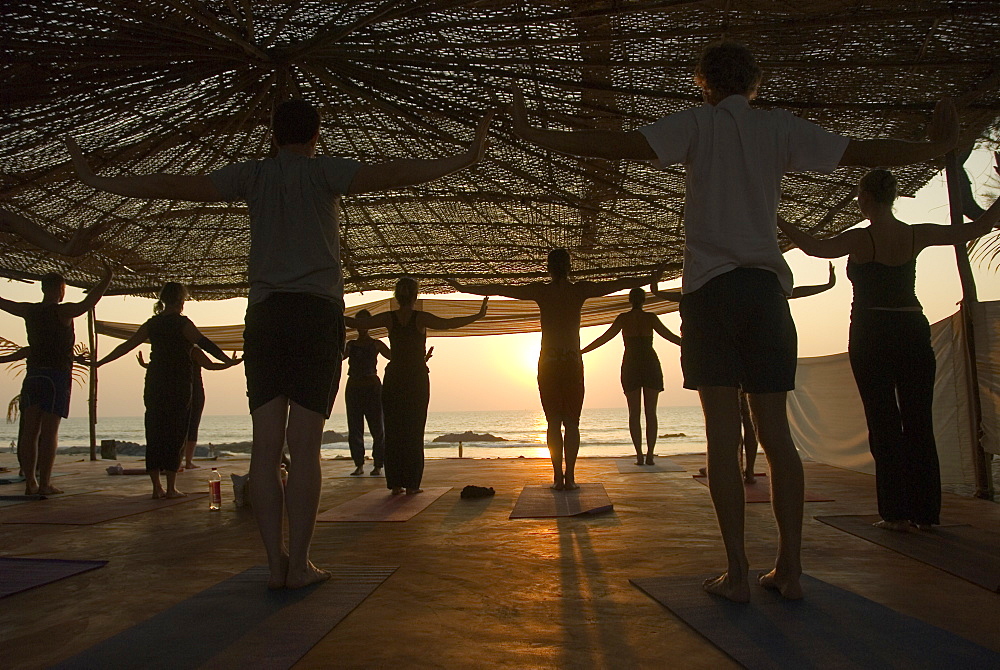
<point>473,589</point>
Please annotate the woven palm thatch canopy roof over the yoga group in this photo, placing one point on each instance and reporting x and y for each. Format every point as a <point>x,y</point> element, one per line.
<point>186,86</point>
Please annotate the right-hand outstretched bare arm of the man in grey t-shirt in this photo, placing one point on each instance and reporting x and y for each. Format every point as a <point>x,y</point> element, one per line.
<point>410,171</point>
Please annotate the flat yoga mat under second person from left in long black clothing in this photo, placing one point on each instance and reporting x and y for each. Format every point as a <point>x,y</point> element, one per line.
<point>88,509</point>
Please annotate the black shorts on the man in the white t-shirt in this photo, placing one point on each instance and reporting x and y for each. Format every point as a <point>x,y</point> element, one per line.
<point>737,331</point>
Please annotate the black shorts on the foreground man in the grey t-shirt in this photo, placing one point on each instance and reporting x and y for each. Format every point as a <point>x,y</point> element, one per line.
<point>292,344</point>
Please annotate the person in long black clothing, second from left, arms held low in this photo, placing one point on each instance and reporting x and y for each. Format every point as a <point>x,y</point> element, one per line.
<point>167,395</point>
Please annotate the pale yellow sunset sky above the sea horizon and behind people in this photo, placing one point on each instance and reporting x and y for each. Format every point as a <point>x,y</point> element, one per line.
<point>498,372</point>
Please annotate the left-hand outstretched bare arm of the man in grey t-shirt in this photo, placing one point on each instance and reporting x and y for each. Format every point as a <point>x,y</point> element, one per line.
<point>197,188</point>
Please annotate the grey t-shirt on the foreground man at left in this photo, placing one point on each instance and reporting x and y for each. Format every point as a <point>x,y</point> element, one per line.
<point>294,203</point>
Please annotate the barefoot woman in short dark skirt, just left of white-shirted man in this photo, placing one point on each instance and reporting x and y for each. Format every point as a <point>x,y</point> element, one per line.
<point>642,376</point>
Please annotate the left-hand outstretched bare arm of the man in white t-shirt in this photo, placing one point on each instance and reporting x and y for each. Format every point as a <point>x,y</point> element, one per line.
<point>610,144</point>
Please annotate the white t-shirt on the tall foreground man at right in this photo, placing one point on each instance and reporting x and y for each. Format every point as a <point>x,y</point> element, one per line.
<point>735,157</point>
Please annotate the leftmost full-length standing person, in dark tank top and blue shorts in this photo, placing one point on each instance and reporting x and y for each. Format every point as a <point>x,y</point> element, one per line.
<point>48,379</point>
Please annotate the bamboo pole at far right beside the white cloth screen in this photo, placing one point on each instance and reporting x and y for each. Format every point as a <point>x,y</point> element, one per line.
<point>970,298</point>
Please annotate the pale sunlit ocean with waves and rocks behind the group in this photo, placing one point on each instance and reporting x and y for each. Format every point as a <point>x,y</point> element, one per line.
<point>603,432</point>
